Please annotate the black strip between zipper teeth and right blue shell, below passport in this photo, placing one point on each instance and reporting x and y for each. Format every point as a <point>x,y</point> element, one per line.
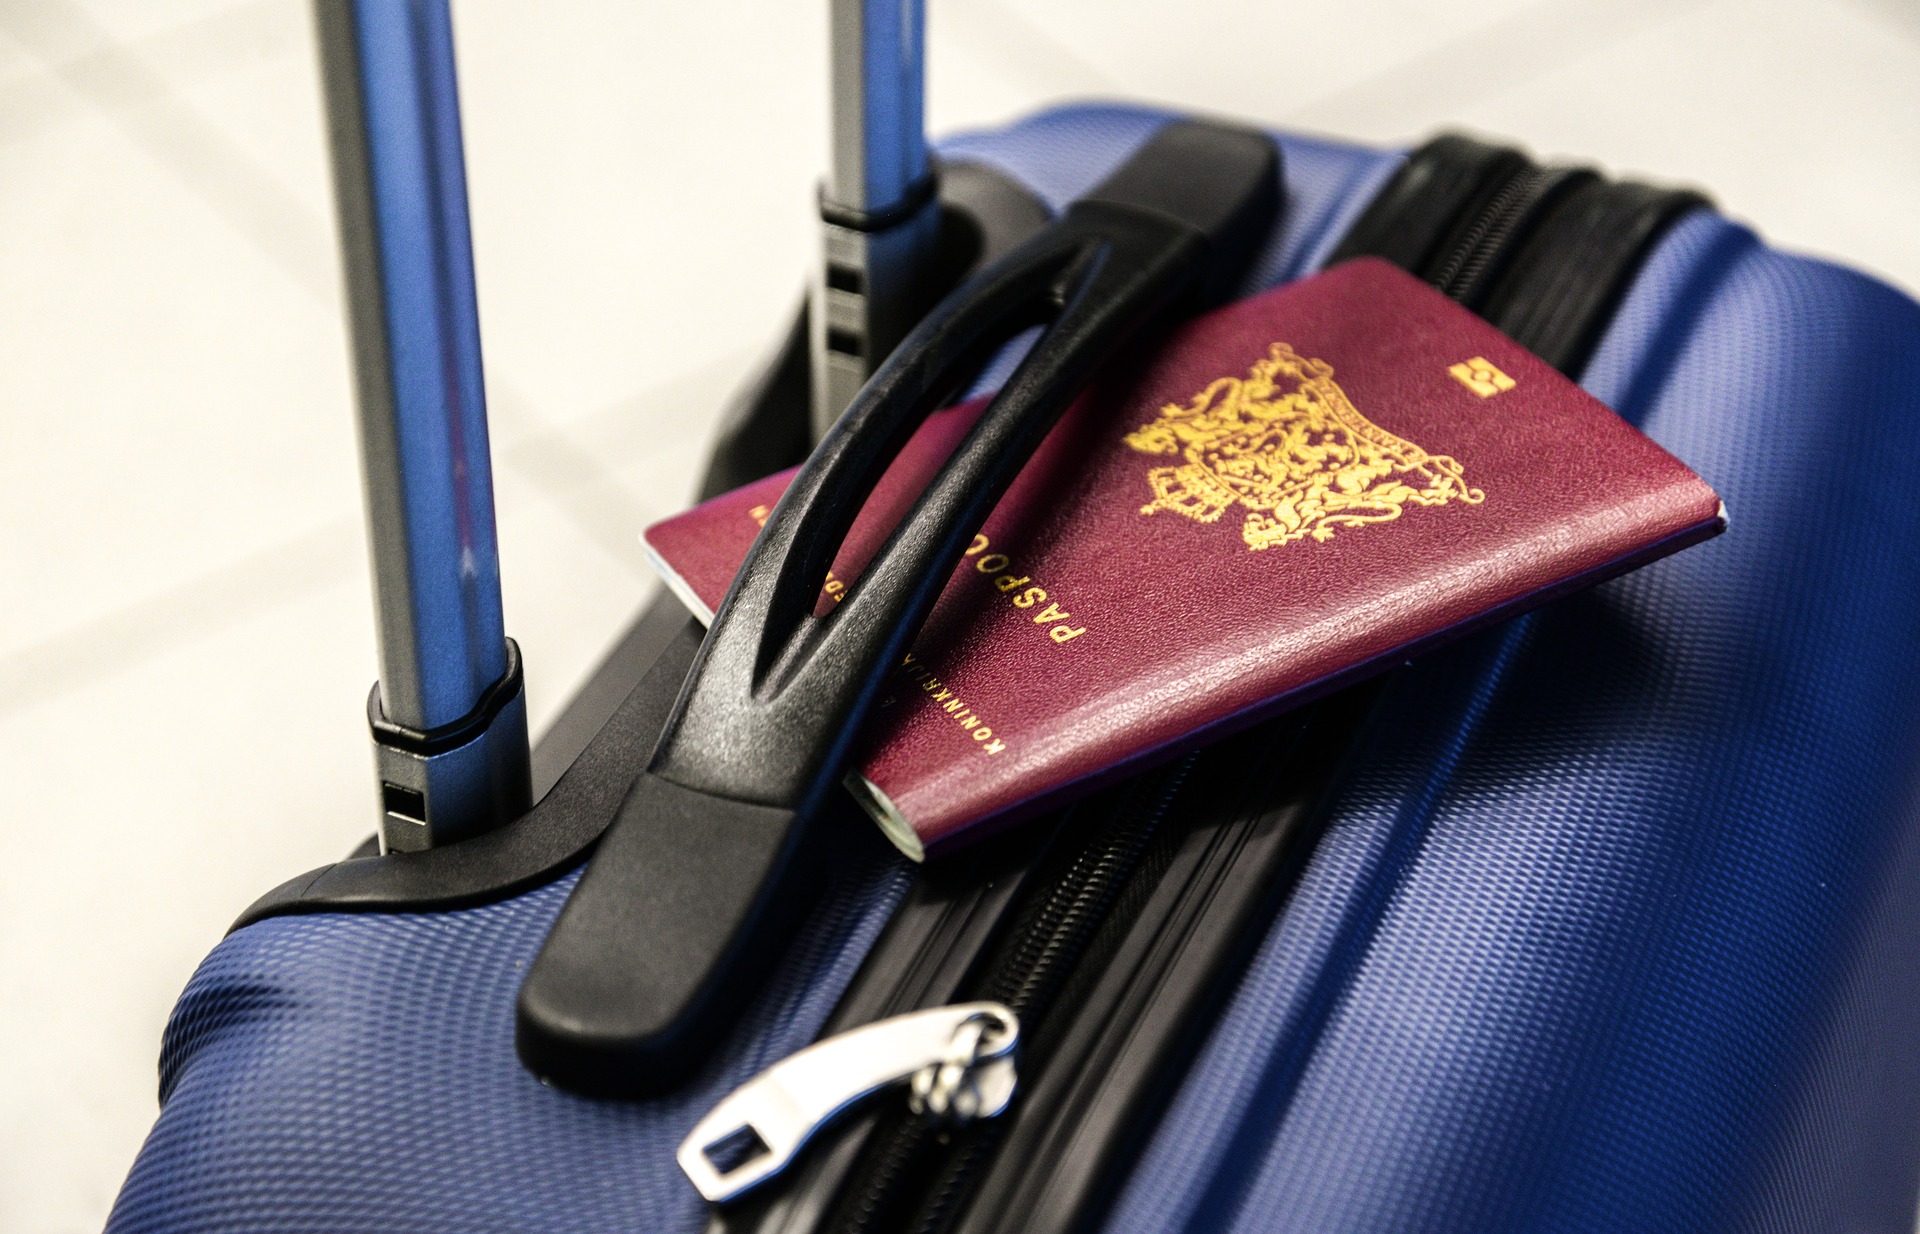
<point>1178,937</point>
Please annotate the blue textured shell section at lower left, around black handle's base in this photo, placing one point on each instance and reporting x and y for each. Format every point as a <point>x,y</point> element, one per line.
<point>356,1074</point>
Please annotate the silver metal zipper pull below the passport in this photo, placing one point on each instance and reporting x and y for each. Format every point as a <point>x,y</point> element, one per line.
<point>959,1060</point>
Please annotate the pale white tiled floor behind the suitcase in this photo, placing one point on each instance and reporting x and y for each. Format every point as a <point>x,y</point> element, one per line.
<point>185,638</point>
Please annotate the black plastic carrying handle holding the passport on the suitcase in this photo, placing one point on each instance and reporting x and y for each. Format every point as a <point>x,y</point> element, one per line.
<point>681,909</point>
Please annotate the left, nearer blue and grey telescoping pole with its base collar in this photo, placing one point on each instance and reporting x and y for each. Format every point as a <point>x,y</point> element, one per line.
<point>448,713</point>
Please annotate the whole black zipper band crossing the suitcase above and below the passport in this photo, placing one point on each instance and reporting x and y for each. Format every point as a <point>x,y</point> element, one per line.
<point>1118,928</point>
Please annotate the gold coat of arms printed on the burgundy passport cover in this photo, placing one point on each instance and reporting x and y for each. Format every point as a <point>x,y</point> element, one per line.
<point>1289,446</point>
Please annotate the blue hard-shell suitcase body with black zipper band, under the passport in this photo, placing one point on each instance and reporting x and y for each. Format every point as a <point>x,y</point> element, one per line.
<point>1595,920</point>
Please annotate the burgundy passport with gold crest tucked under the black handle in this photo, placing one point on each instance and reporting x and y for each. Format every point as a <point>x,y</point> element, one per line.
<point>1289,494</point>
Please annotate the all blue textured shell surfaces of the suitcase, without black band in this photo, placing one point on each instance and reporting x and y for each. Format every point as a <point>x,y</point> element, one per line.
<point>1610,930</point>
